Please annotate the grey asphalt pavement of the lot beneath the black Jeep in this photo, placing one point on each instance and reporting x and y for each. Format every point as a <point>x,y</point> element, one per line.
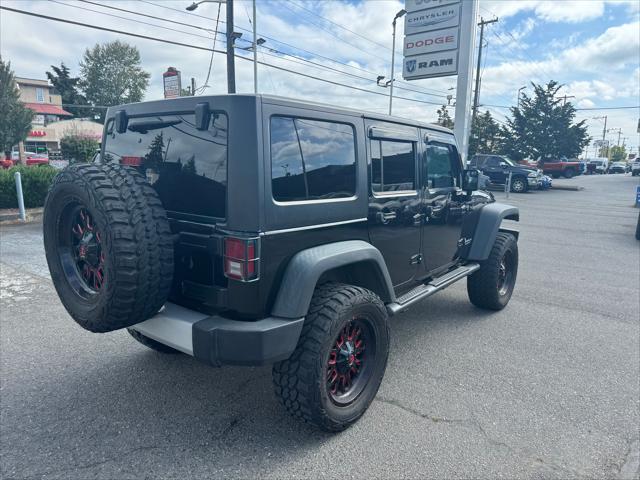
<point>547,388</point>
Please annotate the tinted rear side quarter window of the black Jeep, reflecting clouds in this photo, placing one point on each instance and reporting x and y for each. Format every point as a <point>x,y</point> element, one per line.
<point>312,159</point>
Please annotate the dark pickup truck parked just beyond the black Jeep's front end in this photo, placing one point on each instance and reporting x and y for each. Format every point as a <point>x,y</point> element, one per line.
<point>498,168</point>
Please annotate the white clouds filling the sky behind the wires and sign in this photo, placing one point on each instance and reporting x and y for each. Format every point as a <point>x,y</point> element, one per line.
<point>589,68</point>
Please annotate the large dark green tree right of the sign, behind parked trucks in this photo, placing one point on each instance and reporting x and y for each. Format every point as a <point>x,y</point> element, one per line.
<point>542,127</point>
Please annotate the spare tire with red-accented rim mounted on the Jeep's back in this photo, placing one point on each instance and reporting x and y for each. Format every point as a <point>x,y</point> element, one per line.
<point>108,245</point>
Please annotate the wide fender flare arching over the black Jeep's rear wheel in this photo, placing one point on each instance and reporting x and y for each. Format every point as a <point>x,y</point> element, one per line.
<point>307,266</point>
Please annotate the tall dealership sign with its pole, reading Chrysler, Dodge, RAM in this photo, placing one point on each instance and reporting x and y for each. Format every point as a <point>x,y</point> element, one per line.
<point>439,42</point>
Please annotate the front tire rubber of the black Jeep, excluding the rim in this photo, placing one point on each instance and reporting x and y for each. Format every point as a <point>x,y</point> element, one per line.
<point>483,285</point>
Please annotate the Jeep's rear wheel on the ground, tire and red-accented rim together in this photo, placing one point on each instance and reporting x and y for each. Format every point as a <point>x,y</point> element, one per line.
<point>335,372</point>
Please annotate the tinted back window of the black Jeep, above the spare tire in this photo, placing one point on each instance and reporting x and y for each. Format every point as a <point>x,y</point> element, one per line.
<point>186,166</point>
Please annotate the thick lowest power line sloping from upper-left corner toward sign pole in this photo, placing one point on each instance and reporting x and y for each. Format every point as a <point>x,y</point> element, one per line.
<point>171,42</point>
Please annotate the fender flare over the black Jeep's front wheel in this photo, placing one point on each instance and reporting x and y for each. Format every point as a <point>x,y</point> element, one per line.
<point>482,227</point>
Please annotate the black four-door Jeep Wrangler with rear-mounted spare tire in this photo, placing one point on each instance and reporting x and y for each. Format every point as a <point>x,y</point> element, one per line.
<point>249,229</point>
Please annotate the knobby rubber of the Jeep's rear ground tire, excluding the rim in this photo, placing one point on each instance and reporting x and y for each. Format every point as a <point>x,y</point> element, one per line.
<point>301,381</point>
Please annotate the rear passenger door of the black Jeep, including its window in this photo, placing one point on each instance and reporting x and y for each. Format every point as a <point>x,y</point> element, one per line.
<point>394,216</point>
